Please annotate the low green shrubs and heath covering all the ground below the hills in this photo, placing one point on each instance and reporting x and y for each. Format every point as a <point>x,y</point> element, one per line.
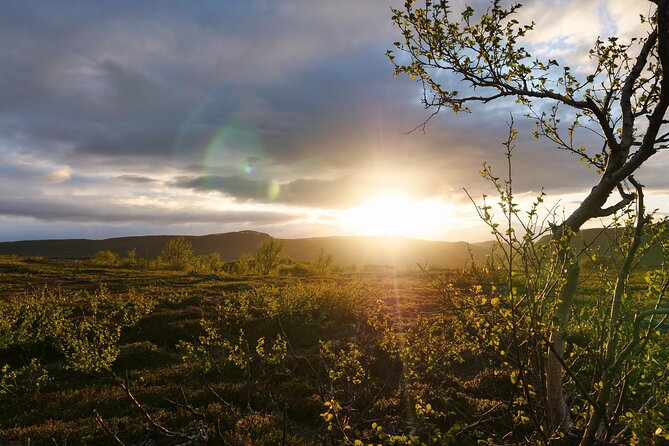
<point>269,351</point>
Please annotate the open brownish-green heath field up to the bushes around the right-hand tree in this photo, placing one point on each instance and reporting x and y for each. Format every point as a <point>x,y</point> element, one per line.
<point>97,354</point>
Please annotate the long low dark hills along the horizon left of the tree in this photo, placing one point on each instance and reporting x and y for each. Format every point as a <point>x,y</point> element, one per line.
<point>401,252</point>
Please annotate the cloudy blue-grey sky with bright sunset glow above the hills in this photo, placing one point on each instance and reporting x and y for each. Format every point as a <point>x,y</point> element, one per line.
<point>151,117</point>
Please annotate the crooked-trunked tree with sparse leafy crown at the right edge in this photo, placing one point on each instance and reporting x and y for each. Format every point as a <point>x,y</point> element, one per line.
<point>623,99</point>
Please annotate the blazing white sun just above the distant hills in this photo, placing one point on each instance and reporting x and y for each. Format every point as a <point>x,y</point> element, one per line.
<point>392,213</point>
